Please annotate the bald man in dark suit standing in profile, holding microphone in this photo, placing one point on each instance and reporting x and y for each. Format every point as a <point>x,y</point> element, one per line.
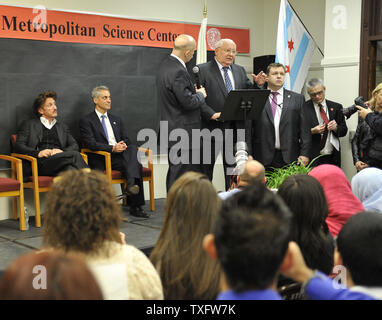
<point>178,109</point>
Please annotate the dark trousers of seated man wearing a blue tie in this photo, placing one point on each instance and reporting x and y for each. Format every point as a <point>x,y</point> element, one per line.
<point>127,162</point>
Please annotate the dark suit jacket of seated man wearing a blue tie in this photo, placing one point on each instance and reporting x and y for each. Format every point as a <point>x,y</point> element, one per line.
<point>93,136</point>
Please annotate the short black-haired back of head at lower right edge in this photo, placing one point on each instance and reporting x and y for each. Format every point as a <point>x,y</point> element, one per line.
<point>359,243</point>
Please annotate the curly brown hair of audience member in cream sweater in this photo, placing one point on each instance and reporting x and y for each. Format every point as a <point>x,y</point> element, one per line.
<point>81,213</point>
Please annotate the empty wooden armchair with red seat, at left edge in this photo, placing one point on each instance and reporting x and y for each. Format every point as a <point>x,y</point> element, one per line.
<point>13,187</point>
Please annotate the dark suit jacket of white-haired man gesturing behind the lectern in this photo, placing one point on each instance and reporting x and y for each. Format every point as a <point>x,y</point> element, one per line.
<point>211,79</point>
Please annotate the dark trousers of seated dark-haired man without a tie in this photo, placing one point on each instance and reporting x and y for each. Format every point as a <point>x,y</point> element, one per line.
<point>67,160</point>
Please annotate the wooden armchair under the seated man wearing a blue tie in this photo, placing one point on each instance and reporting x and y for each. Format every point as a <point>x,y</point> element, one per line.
<point>115,177</point>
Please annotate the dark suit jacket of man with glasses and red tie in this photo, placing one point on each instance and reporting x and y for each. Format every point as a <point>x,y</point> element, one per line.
<point>335,113</point>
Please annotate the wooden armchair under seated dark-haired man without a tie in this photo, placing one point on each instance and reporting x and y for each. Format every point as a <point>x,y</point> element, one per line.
<point>36,182</point>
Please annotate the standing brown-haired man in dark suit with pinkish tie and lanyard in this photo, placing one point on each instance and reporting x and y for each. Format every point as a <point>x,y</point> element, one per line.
<point>282,134</point>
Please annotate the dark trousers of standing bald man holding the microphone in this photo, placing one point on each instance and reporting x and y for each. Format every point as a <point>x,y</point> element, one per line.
<point>175,169</point>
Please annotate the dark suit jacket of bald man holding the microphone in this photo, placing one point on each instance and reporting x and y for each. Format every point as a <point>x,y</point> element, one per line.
<point>178,102</point>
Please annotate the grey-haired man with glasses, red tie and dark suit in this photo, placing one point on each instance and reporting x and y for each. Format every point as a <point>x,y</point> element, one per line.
<point>327,124</point>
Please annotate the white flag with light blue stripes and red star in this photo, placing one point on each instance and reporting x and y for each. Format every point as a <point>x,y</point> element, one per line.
<point>294,47</point>
